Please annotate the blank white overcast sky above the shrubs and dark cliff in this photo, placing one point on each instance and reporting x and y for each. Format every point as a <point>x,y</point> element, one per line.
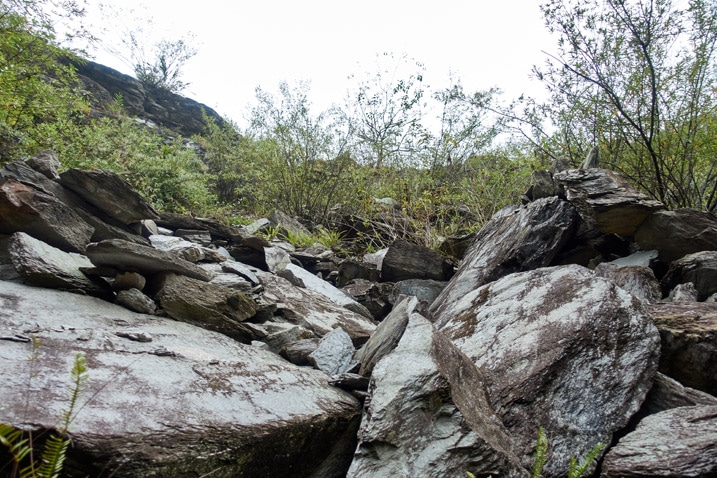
<point>244,44</point>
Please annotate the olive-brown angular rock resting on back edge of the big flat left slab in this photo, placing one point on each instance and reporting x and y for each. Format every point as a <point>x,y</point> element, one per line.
<point>204,304</point>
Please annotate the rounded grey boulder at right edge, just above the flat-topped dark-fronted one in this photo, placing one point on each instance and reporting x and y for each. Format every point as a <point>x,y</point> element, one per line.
<point>699,268</point>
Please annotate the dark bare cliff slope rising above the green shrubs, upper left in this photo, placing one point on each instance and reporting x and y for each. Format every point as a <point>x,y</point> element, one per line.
<point>159,106</point>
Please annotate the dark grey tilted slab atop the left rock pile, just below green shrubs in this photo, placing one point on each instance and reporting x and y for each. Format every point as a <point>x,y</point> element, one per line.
<point>108,192</point>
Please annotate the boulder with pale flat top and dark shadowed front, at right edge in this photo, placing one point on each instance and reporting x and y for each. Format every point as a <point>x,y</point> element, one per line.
<point>689,343</point>
